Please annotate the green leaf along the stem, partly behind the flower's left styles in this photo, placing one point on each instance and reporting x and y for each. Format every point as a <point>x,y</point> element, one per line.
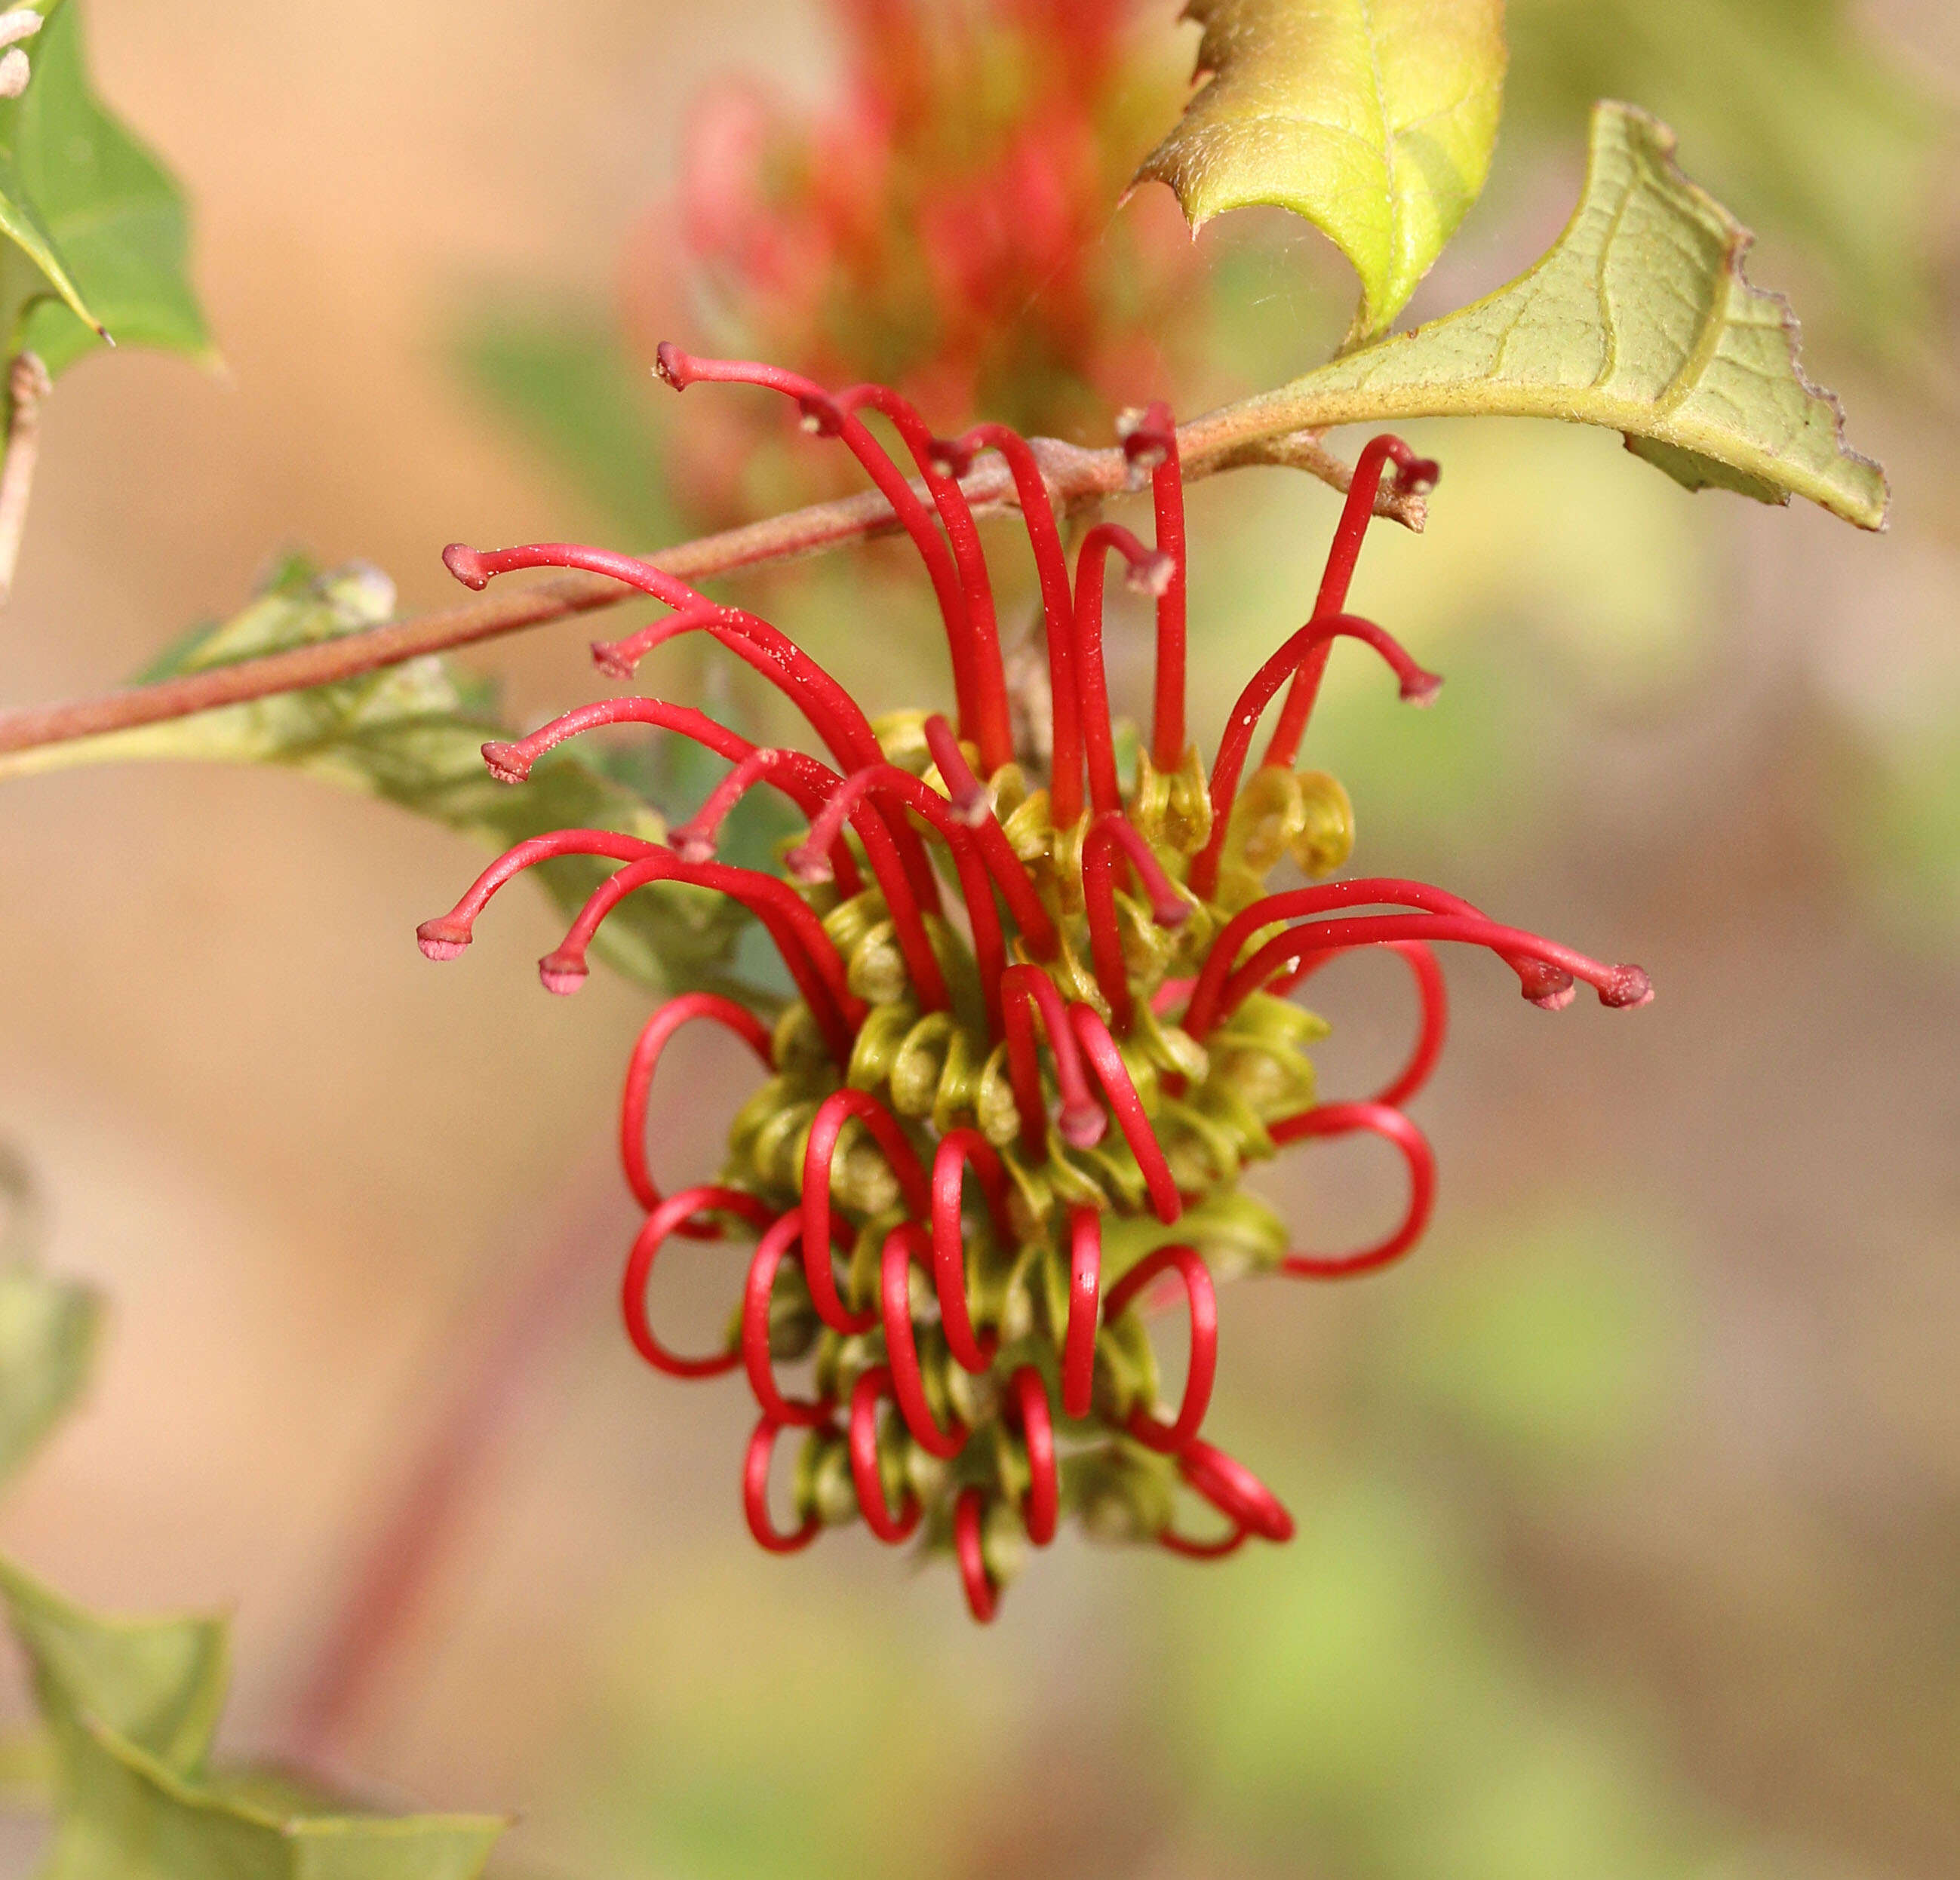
<point>415,736</point>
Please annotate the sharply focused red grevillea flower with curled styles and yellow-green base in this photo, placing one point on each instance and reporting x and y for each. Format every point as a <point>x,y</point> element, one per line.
<point>1042,1028</point>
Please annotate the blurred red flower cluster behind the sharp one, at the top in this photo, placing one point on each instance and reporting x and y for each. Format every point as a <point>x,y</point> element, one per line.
<point>944,224</point>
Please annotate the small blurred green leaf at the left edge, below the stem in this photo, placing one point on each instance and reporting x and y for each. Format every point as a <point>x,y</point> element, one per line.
<point>48,1328</point>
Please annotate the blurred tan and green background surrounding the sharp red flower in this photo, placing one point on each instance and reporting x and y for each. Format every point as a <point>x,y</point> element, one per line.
<point>1647,1465</point>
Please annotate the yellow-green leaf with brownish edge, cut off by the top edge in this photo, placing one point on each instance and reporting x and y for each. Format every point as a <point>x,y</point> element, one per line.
<point>1373,119</point>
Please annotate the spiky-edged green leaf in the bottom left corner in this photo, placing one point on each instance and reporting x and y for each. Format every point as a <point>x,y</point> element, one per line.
<point>130,1710</point>
